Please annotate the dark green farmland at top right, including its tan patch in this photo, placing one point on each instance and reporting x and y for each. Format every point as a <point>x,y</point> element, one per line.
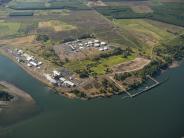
<point>166,11</point>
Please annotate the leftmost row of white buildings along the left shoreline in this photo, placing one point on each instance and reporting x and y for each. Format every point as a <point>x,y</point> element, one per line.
<point>31,61</point>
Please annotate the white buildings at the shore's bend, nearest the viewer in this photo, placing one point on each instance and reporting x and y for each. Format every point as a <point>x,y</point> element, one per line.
<point>57,79</point>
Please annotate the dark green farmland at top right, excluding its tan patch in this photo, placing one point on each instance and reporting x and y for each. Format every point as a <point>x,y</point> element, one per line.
<point>169,12</point>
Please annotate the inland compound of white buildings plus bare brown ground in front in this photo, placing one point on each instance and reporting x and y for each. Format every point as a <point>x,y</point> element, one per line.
<point>81,49</point>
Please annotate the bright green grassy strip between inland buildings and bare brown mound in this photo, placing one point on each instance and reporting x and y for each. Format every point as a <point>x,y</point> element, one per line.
<point>100,66</point>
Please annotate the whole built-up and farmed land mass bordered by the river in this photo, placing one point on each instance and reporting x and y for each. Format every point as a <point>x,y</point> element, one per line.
<point>87,49</point>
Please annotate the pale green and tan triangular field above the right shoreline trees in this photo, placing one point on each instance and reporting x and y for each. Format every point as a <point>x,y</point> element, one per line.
<point>148,33</point>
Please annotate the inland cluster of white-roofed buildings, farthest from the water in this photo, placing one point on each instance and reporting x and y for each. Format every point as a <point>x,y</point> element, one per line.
<point>85,43</point>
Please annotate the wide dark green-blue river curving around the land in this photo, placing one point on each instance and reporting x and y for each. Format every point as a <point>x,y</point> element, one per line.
<point>159,113</point>
